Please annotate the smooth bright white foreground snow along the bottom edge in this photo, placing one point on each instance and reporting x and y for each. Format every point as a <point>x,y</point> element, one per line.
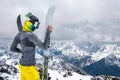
<point>53,75</point>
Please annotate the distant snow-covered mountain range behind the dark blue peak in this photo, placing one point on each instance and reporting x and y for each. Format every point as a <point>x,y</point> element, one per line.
<point>86,52</point>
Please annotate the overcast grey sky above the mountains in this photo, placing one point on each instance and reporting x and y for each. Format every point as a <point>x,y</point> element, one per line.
<point>73,19</point>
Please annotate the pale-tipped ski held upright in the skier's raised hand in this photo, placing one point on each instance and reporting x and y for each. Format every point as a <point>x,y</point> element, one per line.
<point>49,19</point>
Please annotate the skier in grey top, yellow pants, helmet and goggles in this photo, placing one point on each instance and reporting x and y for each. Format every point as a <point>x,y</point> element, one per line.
<point>28,41</point>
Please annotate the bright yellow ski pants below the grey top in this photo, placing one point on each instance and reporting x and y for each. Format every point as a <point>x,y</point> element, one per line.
<point>28,72</point>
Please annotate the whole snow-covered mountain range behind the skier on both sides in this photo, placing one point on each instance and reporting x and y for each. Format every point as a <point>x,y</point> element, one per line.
<point>71,55</point>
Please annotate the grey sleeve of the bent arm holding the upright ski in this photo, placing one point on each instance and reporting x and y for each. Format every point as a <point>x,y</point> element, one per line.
<point>44,45</point>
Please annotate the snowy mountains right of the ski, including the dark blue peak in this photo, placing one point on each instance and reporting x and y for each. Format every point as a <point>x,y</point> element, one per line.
<point>85,54</point>
